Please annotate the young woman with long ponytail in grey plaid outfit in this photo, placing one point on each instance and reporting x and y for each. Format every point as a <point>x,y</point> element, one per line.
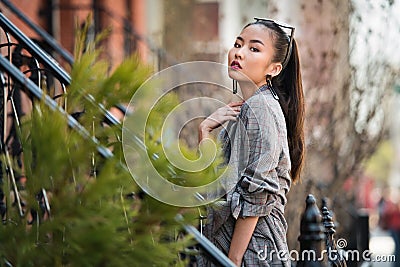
<point>265,146</point>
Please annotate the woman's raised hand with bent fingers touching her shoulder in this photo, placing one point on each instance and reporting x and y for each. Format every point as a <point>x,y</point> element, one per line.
<point>219,117</point>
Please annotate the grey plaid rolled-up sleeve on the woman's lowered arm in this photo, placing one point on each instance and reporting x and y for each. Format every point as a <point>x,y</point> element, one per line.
<point>260,148</point>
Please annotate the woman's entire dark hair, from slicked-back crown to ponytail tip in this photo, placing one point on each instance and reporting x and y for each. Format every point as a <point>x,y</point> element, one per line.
<point>288,86</point>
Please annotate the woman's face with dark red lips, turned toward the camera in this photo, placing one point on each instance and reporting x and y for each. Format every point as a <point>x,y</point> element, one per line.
<point>251,56</point>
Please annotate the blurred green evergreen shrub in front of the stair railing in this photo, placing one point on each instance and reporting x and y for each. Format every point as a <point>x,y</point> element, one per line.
<point>97,217</point>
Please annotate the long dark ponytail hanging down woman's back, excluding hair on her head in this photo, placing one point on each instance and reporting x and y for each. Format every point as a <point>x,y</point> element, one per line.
<point>288,85</point>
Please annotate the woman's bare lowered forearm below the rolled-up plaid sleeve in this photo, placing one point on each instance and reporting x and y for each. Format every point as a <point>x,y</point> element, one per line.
<point>242,233</point>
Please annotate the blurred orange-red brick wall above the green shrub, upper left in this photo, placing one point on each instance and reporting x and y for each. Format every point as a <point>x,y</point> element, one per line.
<point>61,17</point>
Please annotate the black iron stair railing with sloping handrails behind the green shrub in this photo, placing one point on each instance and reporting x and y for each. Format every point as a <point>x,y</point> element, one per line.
<point>31,86</point>
